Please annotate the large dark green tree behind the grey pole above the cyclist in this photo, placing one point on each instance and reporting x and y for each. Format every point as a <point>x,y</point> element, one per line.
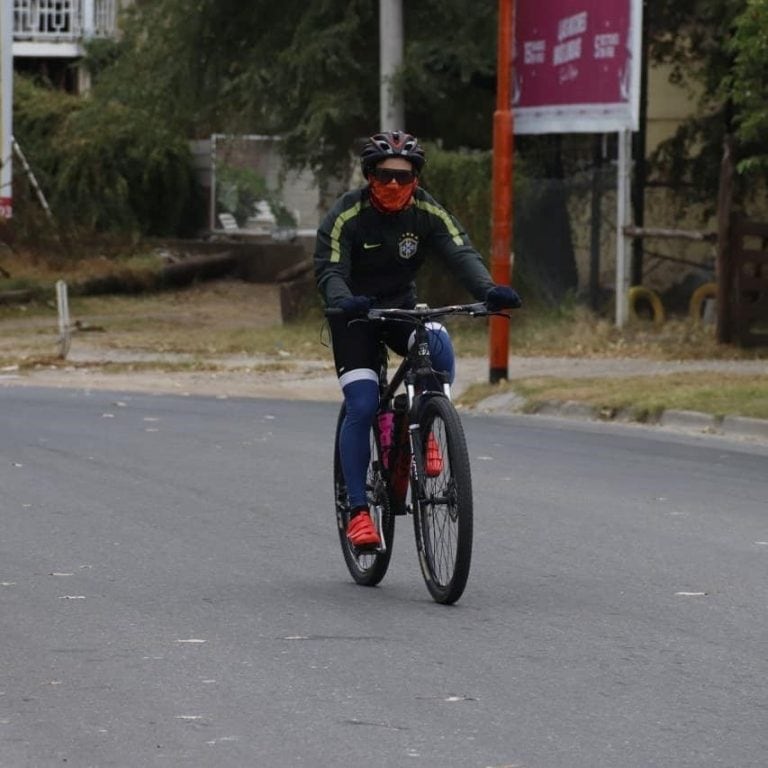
<point>308,71</point>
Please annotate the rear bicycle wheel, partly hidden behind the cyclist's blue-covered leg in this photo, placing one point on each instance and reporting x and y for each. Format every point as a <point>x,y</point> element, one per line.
<point>366,568</point>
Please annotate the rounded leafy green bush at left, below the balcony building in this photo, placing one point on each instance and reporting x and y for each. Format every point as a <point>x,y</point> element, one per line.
<point>104,167</point>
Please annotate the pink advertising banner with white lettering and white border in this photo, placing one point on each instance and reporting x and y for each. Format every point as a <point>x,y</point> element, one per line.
<point>576,66</point>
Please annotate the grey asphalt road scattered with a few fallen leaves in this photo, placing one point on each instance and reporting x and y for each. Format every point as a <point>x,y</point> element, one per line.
<point>172,594</point>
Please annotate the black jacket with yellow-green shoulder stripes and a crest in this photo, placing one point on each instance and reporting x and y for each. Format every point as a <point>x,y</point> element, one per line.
<point>363,252</point>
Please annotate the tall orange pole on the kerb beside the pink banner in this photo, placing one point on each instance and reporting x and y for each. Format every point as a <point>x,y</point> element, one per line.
<point>503,148</point>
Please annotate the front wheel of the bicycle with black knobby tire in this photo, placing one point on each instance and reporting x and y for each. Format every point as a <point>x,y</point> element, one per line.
<point>442,504</point>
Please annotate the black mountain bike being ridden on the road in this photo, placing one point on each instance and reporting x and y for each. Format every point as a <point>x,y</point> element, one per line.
<point>417,444</point>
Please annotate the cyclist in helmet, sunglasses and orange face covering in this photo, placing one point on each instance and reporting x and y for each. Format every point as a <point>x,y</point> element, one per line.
<point>368,250</point>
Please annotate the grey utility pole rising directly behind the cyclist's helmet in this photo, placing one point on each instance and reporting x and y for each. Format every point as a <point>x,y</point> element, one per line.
<point>392,110</point>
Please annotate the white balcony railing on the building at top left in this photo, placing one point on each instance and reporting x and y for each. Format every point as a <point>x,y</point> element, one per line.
<point>63,20</point>
